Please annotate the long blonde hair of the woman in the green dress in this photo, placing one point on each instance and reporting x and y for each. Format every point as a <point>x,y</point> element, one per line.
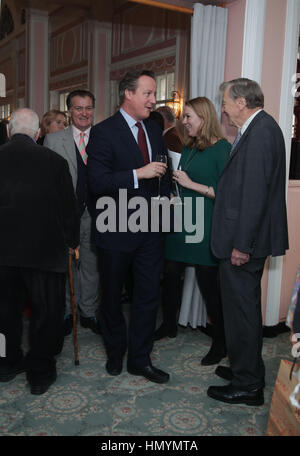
<point>210,131</point>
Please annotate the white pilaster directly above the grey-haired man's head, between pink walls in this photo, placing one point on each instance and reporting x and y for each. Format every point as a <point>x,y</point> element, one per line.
<point>253,43</point>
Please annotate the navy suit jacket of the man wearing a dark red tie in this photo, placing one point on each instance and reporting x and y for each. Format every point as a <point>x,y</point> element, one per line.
<point>113,154</point>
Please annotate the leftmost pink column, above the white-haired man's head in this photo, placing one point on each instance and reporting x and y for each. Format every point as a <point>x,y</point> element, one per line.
<point>37,61</point>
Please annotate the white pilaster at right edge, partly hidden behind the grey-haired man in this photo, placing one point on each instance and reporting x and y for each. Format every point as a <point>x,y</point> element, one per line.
<point>285,122</point>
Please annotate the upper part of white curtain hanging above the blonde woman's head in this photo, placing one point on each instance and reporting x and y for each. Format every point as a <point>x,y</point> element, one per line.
<point>208,46</point>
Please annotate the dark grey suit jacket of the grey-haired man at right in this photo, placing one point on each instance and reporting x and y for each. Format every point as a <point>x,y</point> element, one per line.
<point>250,208</point>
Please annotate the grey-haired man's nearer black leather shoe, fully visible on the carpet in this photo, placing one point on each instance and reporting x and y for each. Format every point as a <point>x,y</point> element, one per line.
<point>233,395</point>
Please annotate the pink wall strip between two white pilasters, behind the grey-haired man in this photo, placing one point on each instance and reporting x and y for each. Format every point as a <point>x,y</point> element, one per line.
<point>273,55</point>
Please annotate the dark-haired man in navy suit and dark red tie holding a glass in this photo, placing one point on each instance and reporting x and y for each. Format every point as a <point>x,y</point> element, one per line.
<point>122,151</point>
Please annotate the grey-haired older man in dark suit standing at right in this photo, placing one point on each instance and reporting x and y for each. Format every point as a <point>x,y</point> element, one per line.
<point>249,224</point>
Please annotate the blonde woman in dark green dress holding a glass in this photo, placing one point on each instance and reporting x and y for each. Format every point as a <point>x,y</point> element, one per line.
<point>203,158</point>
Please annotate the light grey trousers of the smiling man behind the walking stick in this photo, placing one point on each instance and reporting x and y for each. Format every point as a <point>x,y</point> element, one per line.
<point>86,274</point>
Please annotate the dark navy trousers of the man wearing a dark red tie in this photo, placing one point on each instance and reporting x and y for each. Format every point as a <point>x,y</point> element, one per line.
<point>146,262</point>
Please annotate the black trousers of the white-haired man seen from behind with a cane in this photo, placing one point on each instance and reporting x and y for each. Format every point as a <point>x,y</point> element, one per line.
<point>46,292</point>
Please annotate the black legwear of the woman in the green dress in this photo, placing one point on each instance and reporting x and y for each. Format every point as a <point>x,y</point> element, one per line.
<point>208,282</point>
